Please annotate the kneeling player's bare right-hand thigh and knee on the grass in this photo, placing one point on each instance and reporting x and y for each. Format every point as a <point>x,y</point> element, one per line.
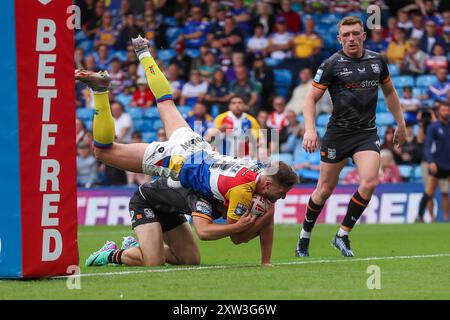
<point>181,246</point>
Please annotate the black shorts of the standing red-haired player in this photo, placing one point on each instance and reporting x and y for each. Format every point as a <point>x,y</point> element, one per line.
<point>337,146</point>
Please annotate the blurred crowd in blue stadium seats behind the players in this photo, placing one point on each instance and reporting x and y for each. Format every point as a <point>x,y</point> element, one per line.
<point>239,65</point>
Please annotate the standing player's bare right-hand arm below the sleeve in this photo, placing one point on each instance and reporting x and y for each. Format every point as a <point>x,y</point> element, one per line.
<point>393,103</point>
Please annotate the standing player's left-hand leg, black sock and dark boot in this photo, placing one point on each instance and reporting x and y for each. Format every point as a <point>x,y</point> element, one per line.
<point>328,179</point>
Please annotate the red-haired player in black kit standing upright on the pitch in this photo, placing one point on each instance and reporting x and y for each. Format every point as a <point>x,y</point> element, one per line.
<point>352,77</point>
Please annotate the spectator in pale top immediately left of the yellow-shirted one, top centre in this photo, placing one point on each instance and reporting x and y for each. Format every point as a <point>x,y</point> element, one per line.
<point>280,41</point>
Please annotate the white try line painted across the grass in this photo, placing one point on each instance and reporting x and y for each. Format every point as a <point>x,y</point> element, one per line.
<point>323,261</point>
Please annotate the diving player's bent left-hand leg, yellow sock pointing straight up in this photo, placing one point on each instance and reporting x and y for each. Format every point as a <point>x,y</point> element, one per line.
<point>123,156</point>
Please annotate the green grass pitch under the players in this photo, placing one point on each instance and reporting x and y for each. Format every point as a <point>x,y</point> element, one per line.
<point>414,262</point>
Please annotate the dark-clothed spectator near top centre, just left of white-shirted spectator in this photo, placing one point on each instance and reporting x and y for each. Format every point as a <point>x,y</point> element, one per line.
<point>230,35</point>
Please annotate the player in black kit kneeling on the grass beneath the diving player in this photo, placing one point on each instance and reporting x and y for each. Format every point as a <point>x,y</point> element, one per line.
<point>171,239</point>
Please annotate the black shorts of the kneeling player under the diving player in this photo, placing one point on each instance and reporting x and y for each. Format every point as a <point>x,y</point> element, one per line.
<point>143,212</point>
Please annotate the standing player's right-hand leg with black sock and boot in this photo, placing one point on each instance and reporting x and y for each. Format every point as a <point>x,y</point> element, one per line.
<point>368,164</point>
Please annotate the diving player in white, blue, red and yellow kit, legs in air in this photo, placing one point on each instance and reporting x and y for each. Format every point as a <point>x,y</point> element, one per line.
<point>186,159</point>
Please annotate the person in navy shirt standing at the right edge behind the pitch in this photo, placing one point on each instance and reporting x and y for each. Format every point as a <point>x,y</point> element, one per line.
<point>437,150</point>
